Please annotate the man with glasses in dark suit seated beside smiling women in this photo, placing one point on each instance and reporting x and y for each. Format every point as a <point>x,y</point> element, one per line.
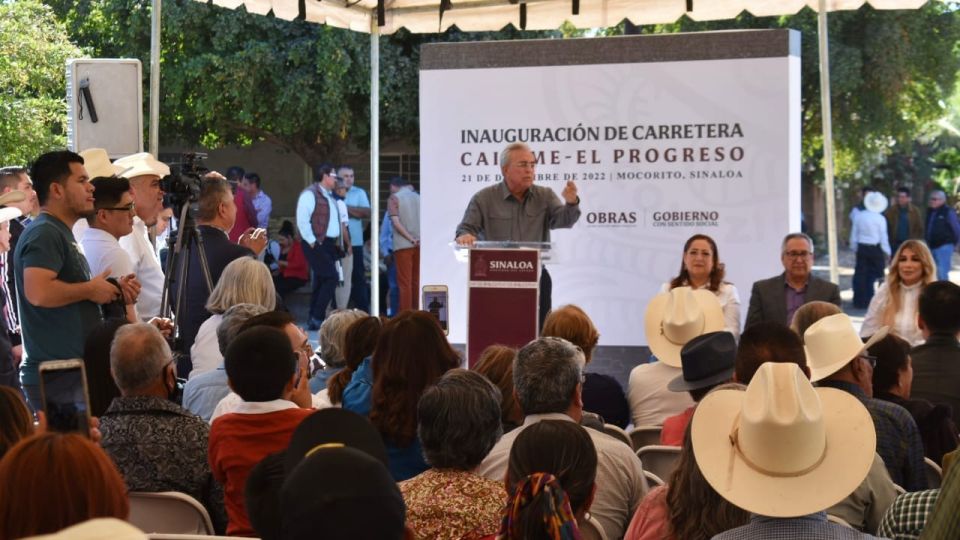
<point>777,298</point>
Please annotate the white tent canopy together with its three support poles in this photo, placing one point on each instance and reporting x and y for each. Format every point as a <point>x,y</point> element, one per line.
<point>423,16</point>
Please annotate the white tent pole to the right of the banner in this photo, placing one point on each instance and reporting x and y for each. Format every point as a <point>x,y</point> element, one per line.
<point>825,112</point>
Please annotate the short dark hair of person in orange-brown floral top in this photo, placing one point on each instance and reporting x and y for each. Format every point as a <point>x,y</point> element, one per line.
<point>459,420</point>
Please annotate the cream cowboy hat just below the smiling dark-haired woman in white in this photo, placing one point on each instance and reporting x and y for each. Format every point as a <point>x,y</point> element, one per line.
<point>675,317</point>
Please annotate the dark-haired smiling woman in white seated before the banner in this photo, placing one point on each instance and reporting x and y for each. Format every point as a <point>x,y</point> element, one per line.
<point>701,268</point>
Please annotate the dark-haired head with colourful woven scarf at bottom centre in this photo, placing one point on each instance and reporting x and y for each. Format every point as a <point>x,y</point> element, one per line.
<point>551,480</point>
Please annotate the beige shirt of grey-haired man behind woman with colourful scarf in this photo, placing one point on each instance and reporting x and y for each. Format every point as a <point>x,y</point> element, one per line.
<point>620,481</point>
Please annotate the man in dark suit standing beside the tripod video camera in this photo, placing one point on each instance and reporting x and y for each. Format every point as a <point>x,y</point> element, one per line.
<point>216,214</point>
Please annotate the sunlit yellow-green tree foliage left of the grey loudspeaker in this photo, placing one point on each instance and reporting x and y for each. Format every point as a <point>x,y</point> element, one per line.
<point>34,48</point>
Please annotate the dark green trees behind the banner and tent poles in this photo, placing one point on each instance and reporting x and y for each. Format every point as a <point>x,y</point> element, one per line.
<point>232,77</point>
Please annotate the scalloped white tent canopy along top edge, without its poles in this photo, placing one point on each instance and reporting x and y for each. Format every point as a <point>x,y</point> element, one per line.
<point>423,16</point>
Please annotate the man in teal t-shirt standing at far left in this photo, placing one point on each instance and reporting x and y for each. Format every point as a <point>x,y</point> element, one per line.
<point>59,300</point>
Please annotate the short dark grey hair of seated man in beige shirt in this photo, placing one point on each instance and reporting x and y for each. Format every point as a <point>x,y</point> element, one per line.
<point>546,372</point>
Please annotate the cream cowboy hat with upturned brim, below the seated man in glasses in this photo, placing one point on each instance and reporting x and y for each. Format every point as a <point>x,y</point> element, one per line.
<point>832,342</point>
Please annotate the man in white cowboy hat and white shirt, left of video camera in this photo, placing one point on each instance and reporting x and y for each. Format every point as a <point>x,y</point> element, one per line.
<point>144,173</point>
